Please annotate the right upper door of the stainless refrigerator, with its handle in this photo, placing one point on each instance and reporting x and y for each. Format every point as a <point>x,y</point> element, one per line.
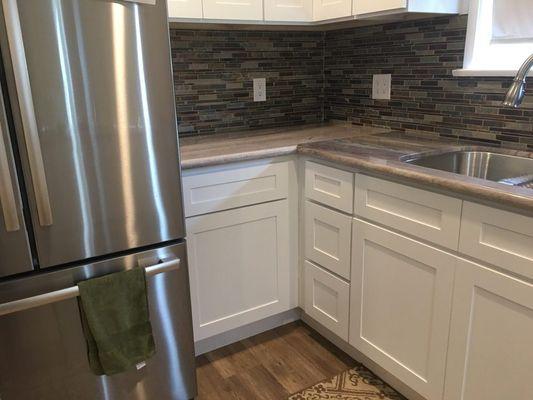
<point>91,92</point>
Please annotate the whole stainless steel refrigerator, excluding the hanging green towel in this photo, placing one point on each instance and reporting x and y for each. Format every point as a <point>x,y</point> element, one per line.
<point>89,185</point>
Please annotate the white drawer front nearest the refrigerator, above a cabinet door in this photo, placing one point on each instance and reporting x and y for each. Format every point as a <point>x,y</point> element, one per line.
<point>209,190</point>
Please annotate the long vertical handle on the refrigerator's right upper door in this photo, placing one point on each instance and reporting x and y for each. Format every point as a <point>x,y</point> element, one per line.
<point>27,111</point>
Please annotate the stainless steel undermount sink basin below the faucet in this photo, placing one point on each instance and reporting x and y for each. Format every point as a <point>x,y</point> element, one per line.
<point>511,170</point>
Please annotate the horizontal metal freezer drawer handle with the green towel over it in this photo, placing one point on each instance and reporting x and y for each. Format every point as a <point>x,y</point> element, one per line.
<point>72,292</point>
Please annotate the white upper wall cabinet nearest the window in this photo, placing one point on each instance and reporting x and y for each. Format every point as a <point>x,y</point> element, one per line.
<point>369,8</point>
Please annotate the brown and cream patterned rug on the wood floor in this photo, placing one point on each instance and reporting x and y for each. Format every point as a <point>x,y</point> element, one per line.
<point>355,384</point>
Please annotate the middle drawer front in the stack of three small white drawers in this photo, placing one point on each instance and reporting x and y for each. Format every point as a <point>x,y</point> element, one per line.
<point>328,236</point>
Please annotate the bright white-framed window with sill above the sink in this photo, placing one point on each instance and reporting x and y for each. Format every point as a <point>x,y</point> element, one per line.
<point>499,37</point>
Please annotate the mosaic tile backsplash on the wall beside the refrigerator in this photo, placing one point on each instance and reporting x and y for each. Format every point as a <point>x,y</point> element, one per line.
<point>214,71</point>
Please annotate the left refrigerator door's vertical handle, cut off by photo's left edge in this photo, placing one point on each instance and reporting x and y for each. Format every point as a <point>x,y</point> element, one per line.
<point>7,192</point>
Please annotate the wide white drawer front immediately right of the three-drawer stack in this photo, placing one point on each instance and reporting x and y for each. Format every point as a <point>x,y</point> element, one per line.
<point>427,215</point>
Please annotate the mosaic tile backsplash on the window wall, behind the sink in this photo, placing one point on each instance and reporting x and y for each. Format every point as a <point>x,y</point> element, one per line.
<point>420,55</point>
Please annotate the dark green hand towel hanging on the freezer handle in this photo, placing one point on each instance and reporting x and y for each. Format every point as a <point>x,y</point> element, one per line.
<point>116,321</point>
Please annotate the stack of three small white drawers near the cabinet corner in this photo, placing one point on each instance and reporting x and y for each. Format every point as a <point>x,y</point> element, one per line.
<point>328,226</point>
